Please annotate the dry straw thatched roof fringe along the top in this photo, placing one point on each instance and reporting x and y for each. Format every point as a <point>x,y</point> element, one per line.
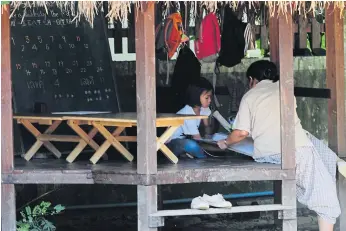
<point>120,9</point>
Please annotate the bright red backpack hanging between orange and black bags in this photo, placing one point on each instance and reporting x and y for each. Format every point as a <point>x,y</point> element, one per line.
<point>208,44</point>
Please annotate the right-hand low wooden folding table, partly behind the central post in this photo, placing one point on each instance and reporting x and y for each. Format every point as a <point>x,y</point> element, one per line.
<point>121,121</point>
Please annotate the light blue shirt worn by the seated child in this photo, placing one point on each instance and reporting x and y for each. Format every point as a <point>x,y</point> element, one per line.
<point>190,127</point>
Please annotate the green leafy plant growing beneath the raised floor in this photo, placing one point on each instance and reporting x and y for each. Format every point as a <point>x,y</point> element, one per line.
<point>35,219</point>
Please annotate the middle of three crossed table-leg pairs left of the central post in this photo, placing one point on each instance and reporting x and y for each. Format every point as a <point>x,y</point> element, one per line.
<point>86,139</point>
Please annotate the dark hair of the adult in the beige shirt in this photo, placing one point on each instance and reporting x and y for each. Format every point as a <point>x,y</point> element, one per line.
<point>263,70</point>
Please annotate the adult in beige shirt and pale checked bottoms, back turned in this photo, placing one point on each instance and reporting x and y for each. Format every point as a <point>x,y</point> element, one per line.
<point>259,117</point>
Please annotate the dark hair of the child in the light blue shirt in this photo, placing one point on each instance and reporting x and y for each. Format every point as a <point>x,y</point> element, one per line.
<point>195,90</point>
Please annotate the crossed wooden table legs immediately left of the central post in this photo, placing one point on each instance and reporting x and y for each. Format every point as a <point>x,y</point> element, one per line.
<point>110,140</point>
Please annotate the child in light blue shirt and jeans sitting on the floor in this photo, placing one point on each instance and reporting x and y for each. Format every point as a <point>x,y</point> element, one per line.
<point>198,100</point>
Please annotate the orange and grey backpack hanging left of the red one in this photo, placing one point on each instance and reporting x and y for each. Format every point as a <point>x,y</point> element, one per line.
<point>169,36</point>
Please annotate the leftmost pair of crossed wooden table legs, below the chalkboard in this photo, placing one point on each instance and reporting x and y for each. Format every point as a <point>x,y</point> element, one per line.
<point>31,128</point>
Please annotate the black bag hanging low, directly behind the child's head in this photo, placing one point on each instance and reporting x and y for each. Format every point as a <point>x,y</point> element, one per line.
<point>187,70</point>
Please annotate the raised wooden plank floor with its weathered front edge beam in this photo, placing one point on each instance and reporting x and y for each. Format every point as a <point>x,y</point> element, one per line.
<point>58,171</point>
